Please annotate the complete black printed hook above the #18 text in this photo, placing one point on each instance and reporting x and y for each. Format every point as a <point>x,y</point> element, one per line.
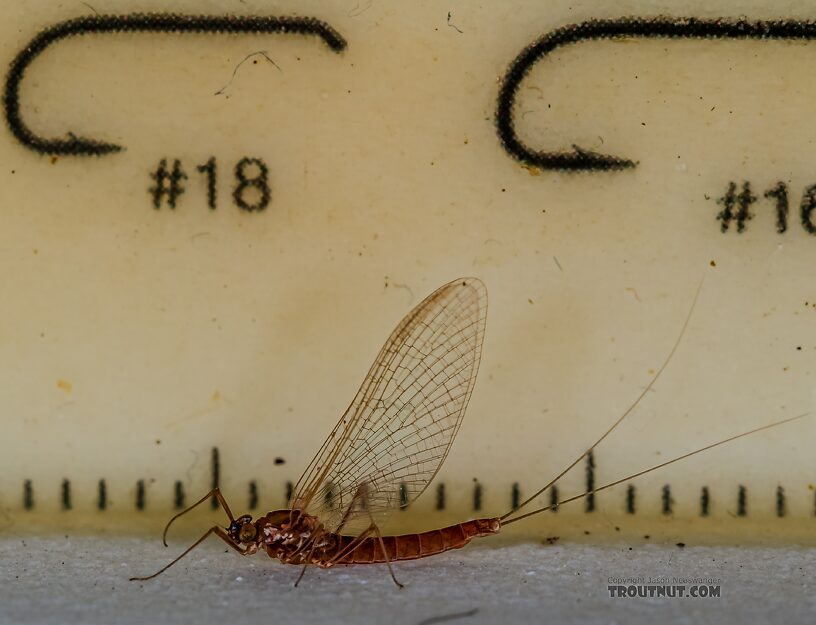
<point>136,23</point>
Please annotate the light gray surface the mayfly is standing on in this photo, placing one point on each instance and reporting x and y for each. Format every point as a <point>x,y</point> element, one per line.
<point>84,580</point>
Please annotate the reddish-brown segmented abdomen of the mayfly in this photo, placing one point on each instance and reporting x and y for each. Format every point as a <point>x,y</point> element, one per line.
<point>412,546</point>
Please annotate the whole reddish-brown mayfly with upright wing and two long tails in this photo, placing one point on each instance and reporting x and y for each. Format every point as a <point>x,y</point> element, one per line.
<point>389,445</point>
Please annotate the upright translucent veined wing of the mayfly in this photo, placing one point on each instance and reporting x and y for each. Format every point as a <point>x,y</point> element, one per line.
<point>392,439</point>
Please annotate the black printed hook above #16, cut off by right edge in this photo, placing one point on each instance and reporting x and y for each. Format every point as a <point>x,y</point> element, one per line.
<point>579,159</point>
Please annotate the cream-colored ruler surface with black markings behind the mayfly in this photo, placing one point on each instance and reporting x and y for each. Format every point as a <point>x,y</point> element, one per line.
<point>320,193</point>
